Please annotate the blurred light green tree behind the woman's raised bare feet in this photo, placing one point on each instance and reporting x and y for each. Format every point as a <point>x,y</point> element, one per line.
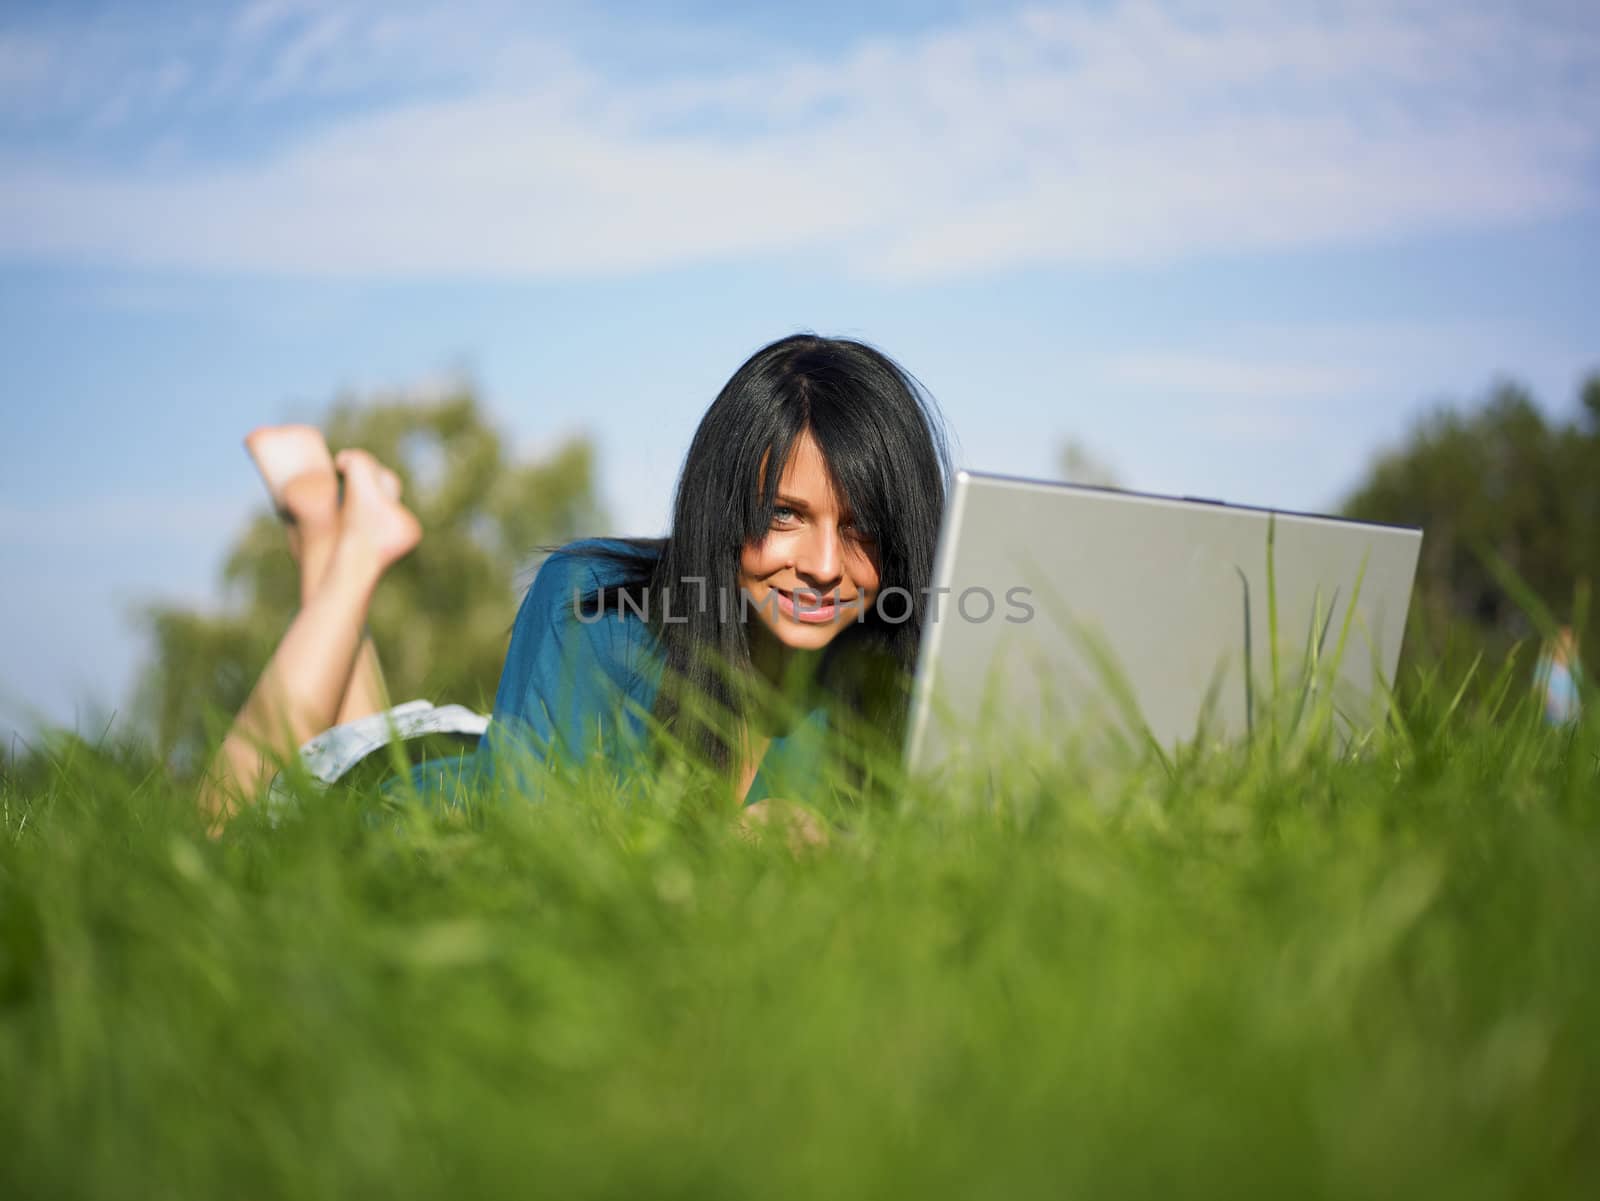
<point>442,616</point>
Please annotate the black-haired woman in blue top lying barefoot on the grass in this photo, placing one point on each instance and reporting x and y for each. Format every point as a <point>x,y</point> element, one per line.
<point>801,549</point>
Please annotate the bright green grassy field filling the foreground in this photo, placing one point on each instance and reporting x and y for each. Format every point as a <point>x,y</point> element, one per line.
<point>1274,972</point>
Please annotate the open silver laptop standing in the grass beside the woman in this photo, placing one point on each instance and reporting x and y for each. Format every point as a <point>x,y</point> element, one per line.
<point>1058,610</point>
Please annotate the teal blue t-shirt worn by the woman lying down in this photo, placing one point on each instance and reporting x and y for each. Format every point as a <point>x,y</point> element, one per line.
<point>582,687</point>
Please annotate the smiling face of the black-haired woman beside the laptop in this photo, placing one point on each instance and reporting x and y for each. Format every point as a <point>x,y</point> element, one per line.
<point>814,573</point>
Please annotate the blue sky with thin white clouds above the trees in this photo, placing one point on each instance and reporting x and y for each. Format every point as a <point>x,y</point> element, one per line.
<point>1231,249</point>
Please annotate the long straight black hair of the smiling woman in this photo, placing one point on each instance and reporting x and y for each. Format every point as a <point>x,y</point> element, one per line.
<point>884,444</point>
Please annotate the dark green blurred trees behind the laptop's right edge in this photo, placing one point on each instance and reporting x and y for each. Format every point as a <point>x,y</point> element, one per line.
<point>1503,484</point>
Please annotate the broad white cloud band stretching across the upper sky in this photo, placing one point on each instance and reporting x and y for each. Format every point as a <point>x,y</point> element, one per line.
<point>1145,132</point>
